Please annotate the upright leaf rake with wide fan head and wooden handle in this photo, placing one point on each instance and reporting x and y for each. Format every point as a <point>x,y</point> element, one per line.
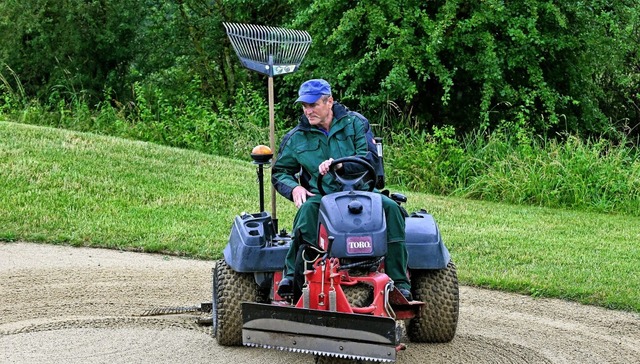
<point>271,51</point>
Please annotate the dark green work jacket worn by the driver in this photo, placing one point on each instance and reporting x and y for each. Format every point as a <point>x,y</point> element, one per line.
<point>304,147</point>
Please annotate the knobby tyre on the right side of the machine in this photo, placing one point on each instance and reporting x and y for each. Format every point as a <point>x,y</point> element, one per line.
<point>438,319</point>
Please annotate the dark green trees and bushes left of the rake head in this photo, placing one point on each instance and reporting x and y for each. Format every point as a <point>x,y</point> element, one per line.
<point>78,49</point>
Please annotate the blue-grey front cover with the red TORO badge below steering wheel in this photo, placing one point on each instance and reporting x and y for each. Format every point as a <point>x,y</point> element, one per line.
<point>356,221</point>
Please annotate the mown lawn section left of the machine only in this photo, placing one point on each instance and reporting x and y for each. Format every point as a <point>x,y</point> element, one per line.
<point>83,189</point>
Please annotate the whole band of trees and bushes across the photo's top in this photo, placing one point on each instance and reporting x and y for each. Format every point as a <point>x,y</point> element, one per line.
<point>535,63</point>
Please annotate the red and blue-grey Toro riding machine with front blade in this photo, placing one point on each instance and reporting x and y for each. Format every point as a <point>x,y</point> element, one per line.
<point>348,309</point>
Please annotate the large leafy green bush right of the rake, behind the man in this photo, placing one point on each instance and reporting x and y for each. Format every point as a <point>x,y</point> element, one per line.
<point>474,64</point>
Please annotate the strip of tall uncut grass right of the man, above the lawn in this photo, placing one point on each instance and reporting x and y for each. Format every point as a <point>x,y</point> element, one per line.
<point>590,175</point>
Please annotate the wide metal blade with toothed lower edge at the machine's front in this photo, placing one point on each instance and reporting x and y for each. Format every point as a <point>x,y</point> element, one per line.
<point>335,334</point>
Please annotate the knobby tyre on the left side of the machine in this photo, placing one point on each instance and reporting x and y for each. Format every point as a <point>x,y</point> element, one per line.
<point>230,289</point>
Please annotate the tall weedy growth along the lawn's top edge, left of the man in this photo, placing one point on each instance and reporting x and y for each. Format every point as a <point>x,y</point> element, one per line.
<point>186,121</point>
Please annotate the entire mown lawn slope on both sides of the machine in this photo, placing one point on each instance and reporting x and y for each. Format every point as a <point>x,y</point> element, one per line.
<point>80,189</point>
